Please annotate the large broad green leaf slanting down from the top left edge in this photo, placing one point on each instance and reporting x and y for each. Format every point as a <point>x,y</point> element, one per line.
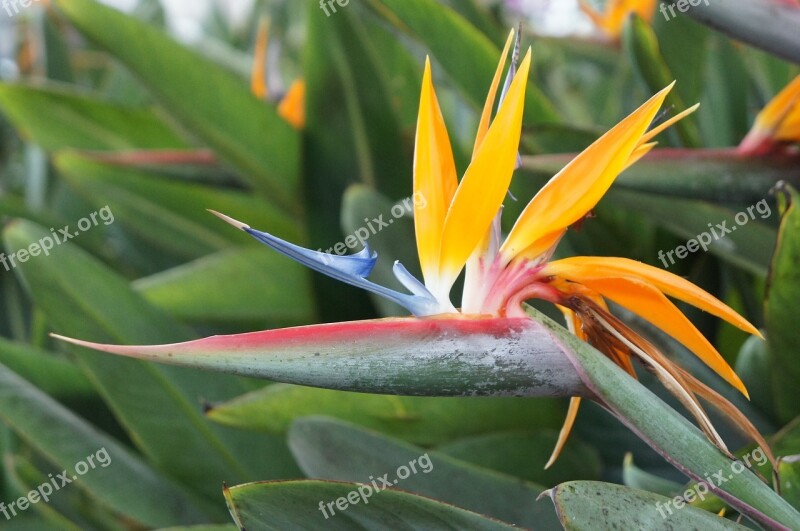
<point>211,102</point>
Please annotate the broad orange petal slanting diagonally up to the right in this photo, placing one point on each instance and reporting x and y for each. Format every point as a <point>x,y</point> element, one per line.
<point>577,188</point>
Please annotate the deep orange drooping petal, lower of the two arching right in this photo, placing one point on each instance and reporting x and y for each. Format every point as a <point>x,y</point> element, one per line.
<point>648,302</point>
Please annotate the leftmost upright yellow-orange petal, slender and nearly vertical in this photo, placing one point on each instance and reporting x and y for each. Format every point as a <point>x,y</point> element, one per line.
<point>434,179</point>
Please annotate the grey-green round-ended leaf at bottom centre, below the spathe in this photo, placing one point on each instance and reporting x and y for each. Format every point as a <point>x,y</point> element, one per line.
<point>329,449</point>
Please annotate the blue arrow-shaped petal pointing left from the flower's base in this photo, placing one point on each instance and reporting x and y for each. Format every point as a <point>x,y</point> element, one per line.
<point>351,269</point>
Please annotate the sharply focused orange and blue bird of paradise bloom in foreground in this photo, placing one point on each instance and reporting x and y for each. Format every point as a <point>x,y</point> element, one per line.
<point>458,227</point>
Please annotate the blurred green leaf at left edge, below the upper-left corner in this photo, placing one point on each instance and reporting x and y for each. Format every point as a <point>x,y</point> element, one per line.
<point>57,117</point>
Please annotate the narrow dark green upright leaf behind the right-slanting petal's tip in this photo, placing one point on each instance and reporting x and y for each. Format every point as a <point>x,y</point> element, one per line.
<point>642,46</point>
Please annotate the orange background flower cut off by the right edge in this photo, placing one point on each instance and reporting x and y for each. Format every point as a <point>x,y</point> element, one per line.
<point>777,124</point>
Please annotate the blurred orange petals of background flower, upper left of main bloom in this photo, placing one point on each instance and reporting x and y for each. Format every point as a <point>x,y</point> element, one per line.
<point>292,106</point>
